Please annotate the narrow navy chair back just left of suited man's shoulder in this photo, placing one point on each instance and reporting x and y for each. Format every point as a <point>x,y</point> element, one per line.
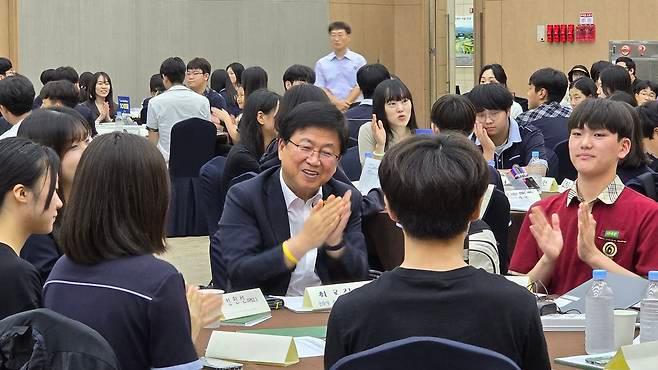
<point>212,191</point>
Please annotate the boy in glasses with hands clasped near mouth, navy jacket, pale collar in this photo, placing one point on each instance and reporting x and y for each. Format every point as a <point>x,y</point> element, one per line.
<point>504,142</point>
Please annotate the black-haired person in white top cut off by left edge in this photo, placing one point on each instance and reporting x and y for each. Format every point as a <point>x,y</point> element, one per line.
<point>16,98</point>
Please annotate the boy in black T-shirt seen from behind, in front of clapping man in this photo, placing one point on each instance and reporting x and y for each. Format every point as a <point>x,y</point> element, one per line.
<point>433,286</point>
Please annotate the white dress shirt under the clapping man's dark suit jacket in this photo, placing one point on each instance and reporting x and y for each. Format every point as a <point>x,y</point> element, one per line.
<point>304,274</point>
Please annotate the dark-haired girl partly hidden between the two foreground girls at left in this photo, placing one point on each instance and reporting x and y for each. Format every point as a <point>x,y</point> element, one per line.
<point>66,132</point>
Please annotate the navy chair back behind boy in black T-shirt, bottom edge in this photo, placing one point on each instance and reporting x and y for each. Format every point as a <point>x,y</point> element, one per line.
<point>426,353</point>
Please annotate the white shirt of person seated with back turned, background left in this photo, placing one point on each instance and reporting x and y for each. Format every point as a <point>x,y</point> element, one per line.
<point>176,104</point>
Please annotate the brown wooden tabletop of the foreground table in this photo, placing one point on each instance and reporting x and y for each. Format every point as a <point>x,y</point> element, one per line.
<point>560,343</point>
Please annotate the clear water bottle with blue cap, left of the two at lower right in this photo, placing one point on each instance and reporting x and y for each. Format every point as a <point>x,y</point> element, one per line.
<point>599,316</point>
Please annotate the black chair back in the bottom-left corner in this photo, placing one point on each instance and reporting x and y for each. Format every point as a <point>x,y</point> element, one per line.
<point>44,339</point>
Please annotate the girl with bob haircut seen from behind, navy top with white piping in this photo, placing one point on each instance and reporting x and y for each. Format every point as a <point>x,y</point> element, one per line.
<point>109,278</point>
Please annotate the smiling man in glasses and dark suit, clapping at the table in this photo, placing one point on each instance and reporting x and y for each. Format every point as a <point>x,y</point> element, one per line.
<point>294,226</point>
